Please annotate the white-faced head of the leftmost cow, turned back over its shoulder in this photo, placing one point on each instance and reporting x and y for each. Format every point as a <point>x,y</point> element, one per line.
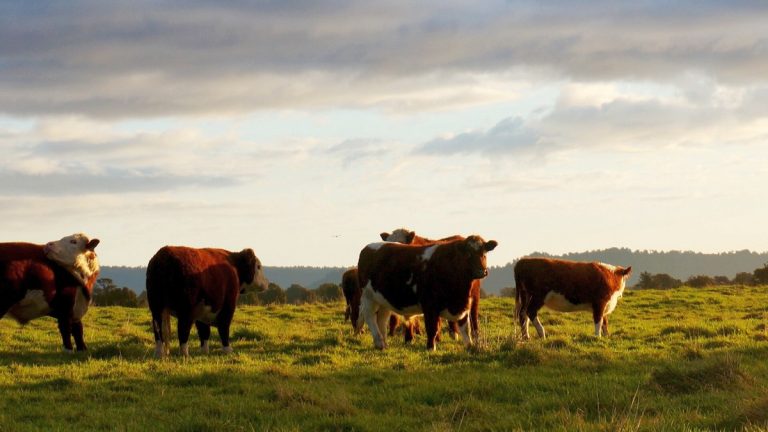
<point>76,254</point>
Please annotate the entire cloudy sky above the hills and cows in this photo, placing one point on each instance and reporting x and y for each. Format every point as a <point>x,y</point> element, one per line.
<point>303,129</point>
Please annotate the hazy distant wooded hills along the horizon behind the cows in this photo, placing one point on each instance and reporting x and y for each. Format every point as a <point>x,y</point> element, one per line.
<point>680,265</point>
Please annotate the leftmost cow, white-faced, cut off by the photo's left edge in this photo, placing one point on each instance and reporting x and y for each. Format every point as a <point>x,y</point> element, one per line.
<point>55,279</point>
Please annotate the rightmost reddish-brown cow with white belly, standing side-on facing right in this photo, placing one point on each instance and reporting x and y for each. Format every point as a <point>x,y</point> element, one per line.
<point>567,286</point>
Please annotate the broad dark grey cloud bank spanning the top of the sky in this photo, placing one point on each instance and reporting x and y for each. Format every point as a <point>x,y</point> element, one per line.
<point>157,59</point>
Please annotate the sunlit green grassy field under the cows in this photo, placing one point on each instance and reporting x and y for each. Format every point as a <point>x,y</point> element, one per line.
<point>688,359</point>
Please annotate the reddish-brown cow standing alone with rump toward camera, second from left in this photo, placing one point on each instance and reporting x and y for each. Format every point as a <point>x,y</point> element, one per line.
<point>199,286</point>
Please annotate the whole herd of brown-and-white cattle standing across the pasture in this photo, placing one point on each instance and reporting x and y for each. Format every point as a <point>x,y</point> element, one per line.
<point>404,275</point>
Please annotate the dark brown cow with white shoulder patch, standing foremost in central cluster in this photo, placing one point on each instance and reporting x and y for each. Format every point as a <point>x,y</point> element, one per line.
<point>434,281</point>
